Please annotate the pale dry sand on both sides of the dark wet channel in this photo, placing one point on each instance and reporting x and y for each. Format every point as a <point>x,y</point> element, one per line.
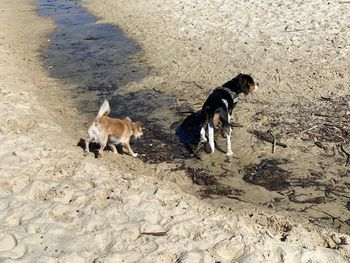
<point>58,205</point>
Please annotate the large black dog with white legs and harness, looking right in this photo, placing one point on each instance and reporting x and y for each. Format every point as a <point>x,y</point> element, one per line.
<point>219,106</point>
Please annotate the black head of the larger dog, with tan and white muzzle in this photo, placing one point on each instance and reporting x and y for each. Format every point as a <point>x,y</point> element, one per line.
<point>242,83</point>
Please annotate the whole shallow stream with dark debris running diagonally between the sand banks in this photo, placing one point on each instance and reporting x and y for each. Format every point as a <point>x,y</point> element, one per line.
<point>100,61</point>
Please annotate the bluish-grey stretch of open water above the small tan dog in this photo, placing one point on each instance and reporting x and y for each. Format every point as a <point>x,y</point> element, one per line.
<point>94,56</point>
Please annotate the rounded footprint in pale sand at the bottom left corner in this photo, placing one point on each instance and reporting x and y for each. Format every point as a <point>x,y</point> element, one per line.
<point>9,247</point>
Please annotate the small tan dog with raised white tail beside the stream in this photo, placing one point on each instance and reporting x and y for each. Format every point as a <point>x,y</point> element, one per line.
<point>105,130</point>
